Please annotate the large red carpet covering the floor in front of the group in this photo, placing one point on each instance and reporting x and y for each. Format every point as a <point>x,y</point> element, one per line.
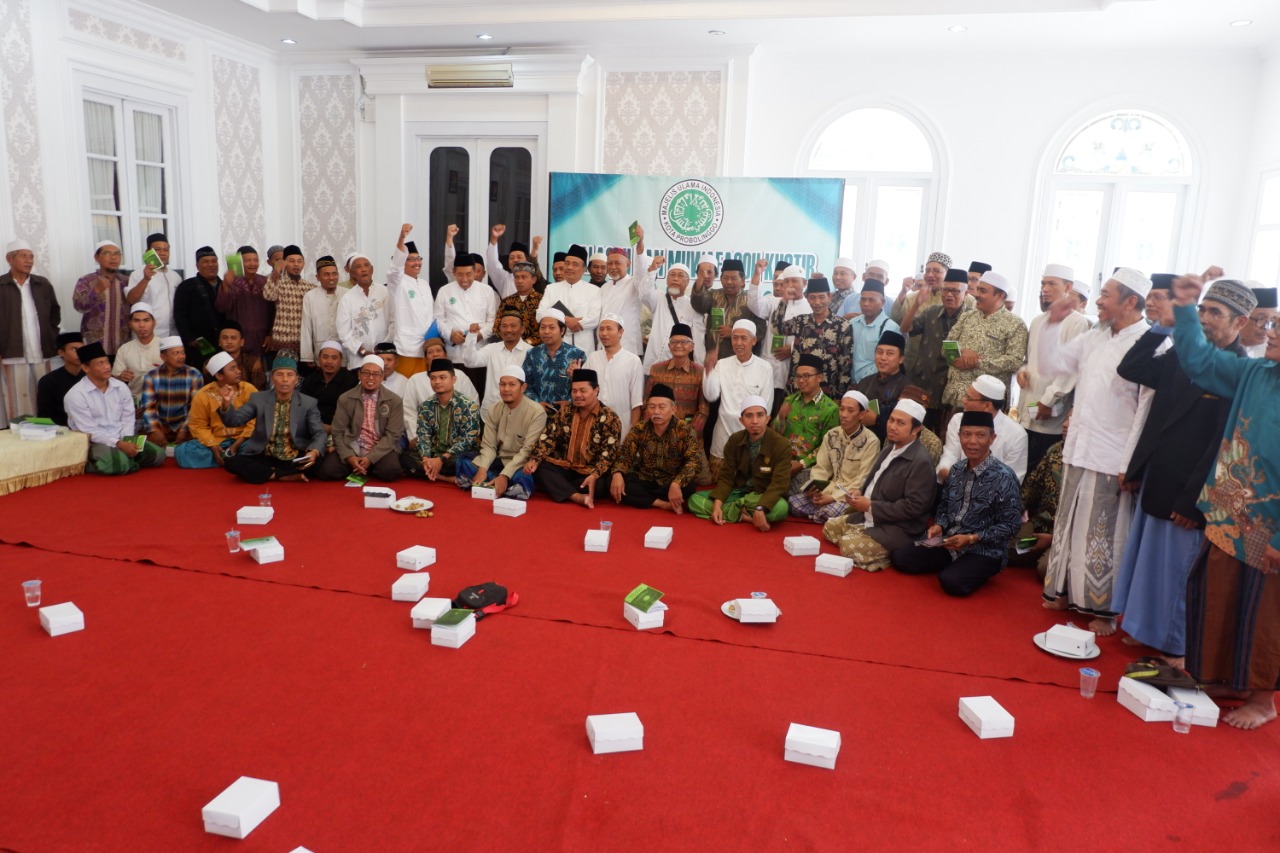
<point>185,681</point>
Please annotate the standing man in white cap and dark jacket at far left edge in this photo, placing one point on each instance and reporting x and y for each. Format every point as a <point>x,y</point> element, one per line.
<point>30,320</point>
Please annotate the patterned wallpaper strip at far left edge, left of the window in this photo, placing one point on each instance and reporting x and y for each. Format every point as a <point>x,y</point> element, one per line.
<point>22,139</point>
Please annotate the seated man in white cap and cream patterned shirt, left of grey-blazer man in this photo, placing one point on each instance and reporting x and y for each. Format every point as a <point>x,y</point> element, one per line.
<point>842,464</point>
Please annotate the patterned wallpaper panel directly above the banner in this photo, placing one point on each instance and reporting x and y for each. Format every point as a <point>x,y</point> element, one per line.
<point>662,122</point>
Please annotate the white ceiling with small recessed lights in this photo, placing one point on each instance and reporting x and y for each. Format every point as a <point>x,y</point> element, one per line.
<point>665,28</point>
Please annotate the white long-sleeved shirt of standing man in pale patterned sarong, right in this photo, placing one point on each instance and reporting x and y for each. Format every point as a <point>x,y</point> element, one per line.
<point>1107,407</point>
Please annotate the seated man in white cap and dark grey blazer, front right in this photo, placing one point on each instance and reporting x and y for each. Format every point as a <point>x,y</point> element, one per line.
<point>897,499</point>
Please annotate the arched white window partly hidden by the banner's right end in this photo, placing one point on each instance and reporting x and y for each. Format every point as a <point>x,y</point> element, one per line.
<point>889,170</point>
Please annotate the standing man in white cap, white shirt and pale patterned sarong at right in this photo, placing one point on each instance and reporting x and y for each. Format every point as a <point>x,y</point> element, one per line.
<point>1095,510</point>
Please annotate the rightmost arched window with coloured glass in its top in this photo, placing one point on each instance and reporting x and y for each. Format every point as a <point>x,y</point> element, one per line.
<point>1118,195</point>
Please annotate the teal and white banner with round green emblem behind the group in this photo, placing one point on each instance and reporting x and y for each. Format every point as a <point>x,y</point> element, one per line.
<point>781,220</point>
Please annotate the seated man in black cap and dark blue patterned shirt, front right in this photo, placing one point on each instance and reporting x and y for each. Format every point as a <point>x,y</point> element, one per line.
<point>980,513</point>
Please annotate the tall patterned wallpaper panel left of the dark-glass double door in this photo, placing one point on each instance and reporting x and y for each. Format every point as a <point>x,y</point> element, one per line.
<point>327,129</point>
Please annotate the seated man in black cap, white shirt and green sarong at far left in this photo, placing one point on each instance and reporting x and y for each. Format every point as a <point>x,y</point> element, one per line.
<point>103,408</point>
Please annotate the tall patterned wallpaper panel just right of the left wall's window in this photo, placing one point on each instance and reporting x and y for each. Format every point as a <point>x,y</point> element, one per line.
<point>239,124</point>
